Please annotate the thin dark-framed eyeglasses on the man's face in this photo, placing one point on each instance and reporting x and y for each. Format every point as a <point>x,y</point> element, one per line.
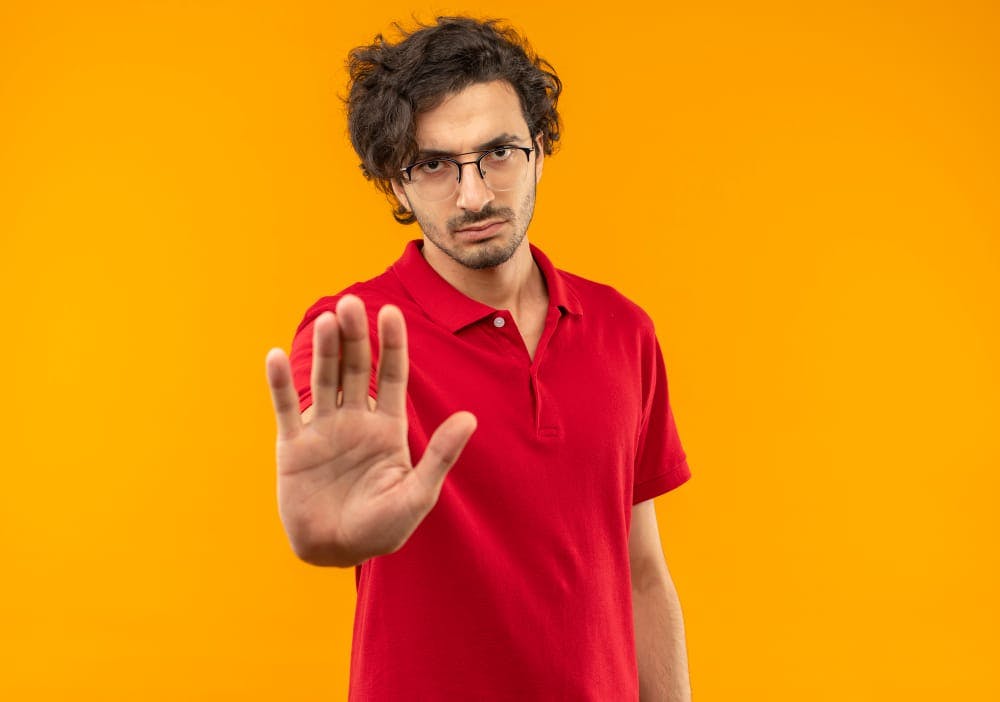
<point>438,178</point>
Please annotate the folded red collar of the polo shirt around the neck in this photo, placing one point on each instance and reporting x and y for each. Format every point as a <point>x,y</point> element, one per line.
<point>454,310</point>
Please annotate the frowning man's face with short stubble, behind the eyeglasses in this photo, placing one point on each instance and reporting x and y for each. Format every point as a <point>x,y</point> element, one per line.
<point>477,227</point>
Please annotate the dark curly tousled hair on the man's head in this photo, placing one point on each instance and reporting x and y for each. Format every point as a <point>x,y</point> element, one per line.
<point>390,84</point>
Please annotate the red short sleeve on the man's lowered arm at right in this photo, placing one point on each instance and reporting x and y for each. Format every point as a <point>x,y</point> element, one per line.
<point>661,464</point>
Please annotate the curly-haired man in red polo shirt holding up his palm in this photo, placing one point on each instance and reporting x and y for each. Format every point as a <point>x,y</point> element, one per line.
<point>534,571</point>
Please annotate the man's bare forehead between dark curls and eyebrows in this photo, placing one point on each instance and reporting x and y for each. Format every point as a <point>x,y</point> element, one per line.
<point>470,118</point>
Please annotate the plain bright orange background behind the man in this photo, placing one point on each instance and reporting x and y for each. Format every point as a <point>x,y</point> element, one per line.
<point>804,197</point>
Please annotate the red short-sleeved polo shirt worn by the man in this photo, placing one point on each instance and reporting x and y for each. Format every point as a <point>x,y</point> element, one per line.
<point>516,585</point>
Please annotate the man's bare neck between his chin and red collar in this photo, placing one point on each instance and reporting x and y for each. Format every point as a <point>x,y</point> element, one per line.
<point>512,285</point>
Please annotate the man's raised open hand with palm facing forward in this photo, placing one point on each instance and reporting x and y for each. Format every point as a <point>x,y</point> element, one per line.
<point>347,490</point>
